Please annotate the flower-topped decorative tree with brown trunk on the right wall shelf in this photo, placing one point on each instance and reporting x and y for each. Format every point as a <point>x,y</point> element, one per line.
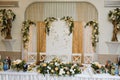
<point>114,17</point>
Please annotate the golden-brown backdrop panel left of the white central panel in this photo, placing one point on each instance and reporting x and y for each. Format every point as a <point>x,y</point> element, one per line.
<point>41,39</point>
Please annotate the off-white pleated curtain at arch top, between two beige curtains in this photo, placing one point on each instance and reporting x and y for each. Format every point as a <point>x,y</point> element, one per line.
<point>59,9</point>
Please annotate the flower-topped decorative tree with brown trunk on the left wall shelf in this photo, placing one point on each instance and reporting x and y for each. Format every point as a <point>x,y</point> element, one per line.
<point>6,18</point>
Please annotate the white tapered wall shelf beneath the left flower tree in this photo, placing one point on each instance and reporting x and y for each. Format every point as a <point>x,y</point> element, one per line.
<point>9,44</point>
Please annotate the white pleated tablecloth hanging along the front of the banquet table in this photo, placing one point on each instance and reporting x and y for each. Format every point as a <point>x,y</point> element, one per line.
<point>36,76</point>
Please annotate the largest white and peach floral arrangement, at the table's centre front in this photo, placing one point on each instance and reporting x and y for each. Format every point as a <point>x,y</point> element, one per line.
<point>58,68</point>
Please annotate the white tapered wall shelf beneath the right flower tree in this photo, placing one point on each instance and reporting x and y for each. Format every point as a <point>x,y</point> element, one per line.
<point>113,47</point>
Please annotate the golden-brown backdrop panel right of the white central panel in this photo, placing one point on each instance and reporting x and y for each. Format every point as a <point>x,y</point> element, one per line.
<point>77,45</point>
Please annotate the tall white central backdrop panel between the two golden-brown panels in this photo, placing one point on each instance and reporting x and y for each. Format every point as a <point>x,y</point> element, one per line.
<point>58,41</point>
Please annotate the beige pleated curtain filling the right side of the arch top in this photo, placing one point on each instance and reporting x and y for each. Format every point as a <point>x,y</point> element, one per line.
<point>86,12</point>
